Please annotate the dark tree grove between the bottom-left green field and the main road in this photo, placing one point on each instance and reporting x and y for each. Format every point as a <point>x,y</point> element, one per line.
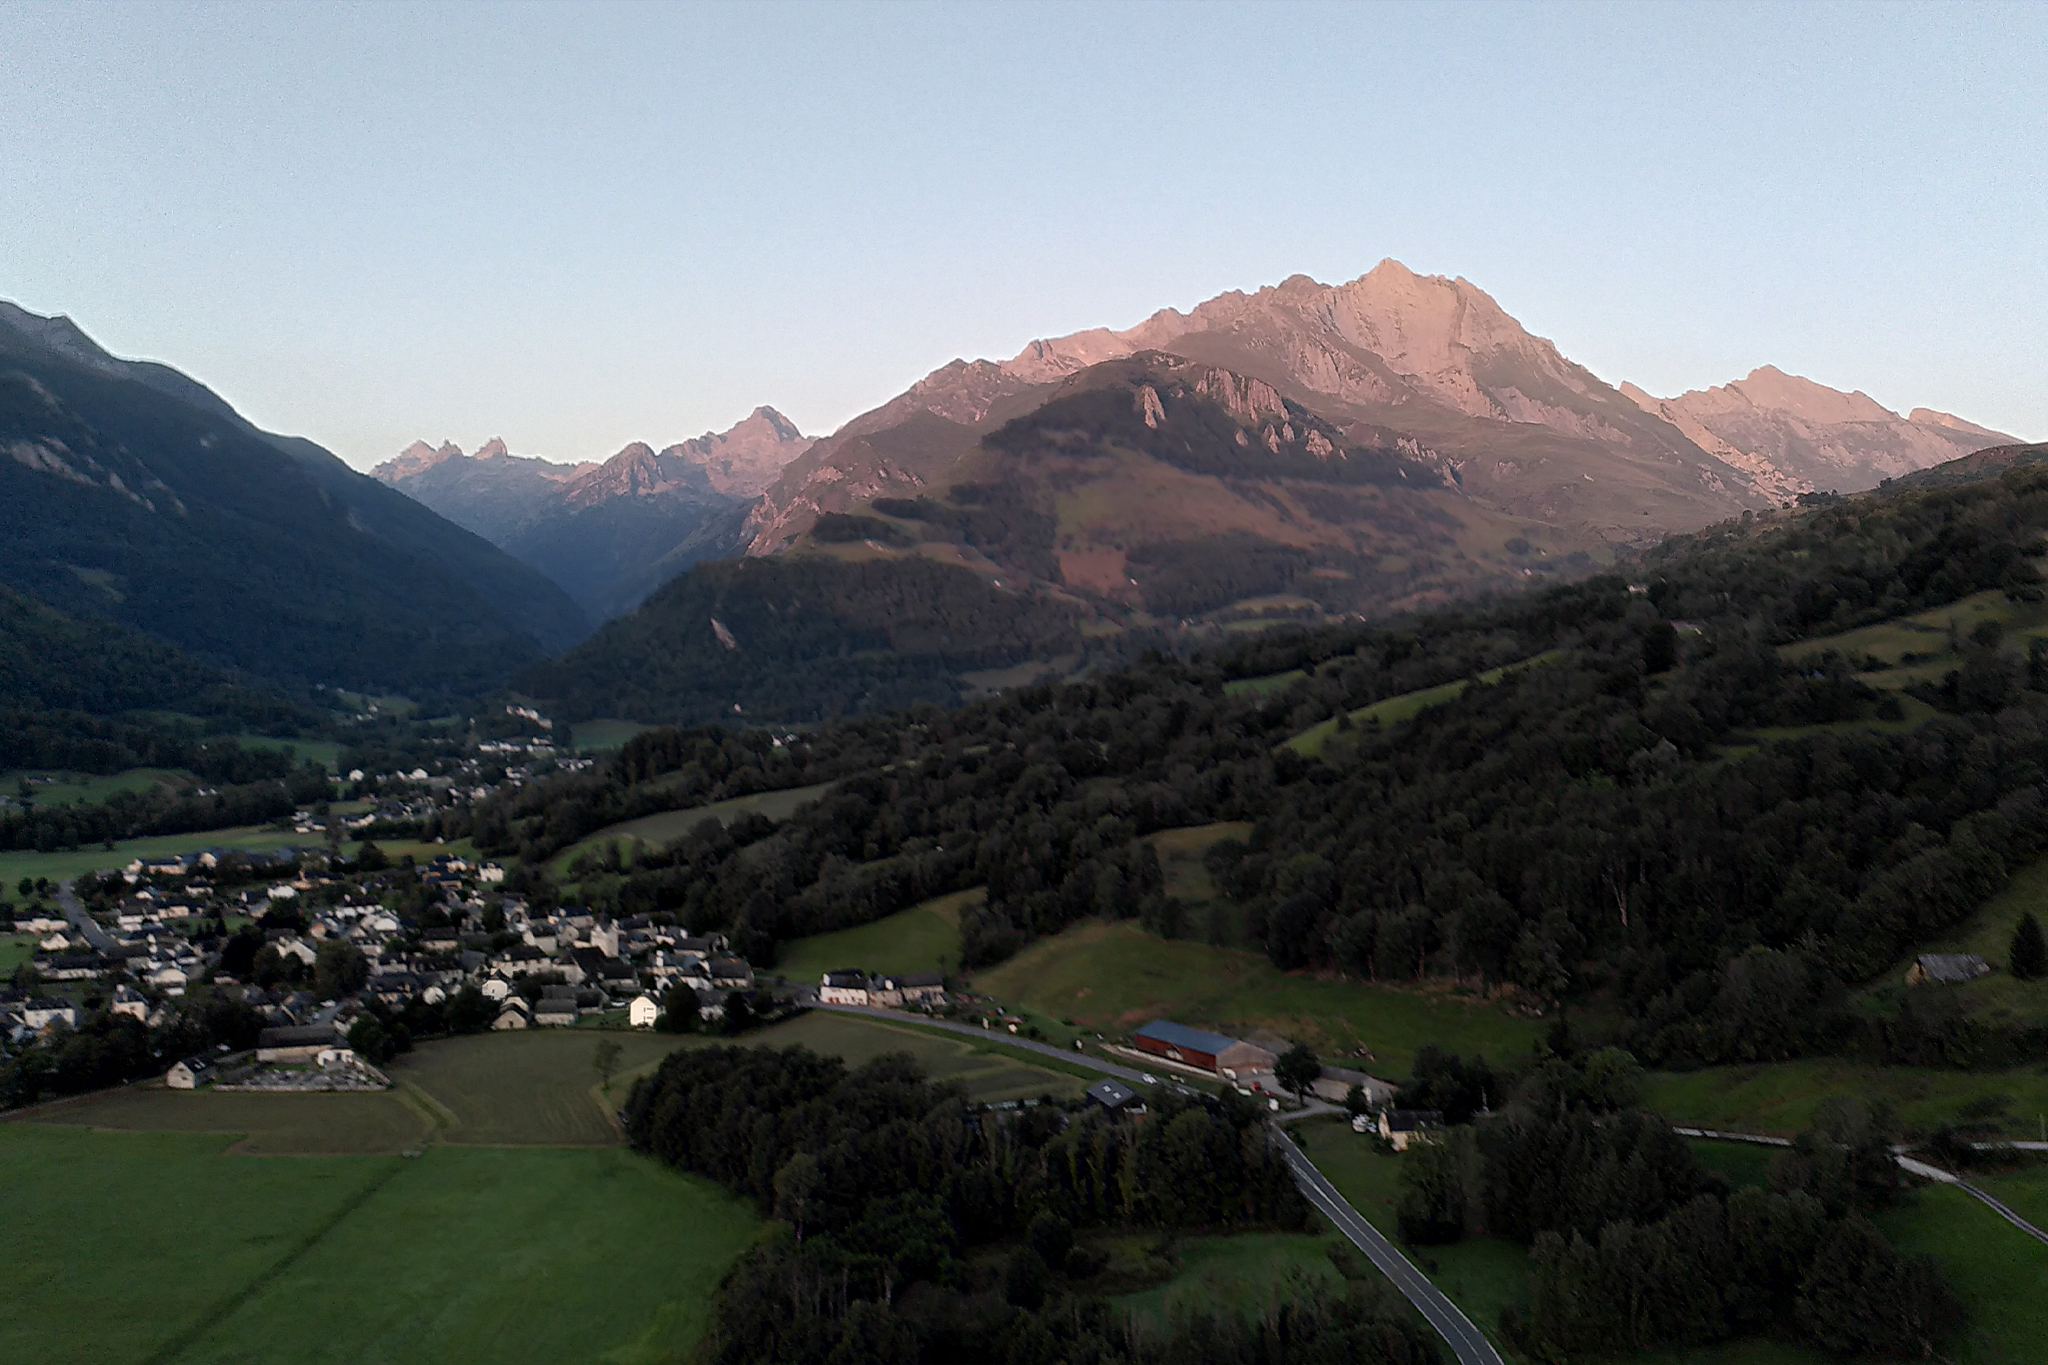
<point>916,1227</point>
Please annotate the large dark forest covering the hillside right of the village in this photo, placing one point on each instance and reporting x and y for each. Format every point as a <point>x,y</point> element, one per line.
<point>1603,822</point>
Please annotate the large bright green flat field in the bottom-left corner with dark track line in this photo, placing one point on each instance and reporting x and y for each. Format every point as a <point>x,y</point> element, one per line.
<point>159,1247</point>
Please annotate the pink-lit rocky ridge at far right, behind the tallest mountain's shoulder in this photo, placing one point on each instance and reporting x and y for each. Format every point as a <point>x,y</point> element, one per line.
<point>1811,437</point>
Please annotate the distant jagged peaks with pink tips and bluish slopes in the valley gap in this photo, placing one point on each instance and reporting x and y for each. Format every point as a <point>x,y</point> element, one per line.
<point>607,533</point>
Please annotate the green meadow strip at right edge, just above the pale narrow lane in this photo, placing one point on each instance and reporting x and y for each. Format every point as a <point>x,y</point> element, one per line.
<point>1783,1096</point>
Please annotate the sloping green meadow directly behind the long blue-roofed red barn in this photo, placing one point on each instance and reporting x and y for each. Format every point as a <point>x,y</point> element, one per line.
<point>1117,977</point>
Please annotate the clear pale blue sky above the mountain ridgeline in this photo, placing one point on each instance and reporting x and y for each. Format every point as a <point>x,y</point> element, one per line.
<point>579,226</point>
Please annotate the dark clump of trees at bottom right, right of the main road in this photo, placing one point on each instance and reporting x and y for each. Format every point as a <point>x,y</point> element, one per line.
<point>1635,1247</point>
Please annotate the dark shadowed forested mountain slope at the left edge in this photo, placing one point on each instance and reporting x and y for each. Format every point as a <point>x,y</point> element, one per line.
<point>140,496</point>
